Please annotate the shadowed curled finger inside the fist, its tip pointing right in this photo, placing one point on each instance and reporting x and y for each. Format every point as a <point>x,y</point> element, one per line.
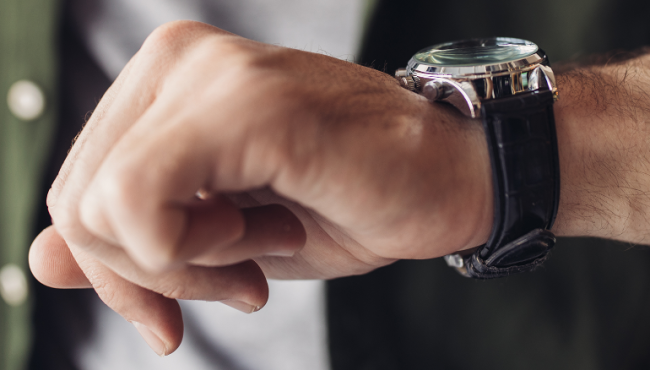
<point>271,230</point>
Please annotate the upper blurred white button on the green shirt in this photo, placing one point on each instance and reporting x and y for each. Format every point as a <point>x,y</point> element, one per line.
<point>26,100</point>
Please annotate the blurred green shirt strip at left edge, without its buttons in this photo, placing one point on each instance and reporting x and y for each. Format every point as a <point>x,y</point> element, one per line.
<point>28,30</point>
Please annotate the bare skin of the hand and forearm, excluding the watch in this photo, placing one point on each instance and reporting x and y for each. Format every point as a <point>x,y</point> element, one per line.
<point>215,162</point>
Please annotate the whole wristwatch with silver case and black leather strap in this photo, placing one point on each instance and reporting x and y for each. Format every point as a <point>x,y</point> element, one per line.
<point>508,84</point>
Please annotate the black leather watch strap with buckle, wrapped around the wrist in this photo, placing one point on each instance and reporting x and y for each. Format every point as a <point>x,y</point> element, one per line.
<point>522,143</point>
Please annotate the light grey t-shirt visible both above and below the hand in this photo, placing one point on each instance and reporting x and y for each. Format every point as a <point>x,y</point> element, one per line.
<point>290,332</point>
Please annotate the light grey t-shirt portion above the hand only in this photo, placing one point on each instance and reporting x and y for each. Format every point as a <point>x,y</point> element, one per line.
<point>115,29</point>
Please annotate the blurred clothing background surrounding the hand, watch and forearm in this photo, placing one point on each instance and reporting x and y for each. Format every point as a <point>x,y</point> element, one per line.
<point>584,310</point>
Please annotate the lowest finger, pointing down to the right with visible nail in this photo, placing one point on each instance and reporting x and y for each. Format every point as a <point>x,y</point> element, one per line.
<point>158,319</point>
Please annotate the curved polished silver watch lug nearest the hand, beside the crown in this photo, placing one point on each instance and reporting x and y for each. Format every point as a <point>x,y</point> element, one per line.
<point>460,94</point>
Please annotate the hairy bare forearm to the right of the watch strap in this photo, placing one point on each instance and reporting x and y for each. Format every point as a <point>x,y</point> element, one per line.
<point>603,124</point>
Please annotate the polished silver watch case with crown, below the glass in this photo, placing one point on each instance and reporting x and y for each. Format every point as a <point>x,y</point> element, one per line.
<point>466,87</point>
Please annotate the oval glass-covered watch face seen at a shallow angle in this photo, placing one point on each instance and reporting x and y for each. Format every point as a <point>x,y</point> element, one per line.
<point>476,52</point>
